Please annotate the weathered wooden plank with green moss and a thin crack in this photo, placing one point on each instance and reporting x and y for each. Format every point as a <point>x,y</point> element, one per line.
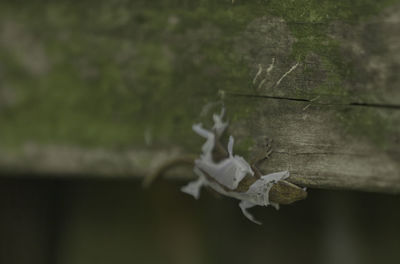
<point>111,89</point>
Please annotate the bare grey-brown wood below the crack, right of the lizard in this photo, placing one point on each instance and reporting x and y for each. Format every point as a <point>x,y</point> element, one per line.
<point>319,151</point>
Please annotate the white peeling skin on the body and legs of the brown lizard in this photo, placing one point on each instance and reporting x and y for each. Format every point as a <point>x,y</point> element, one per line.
<point>225,176</point>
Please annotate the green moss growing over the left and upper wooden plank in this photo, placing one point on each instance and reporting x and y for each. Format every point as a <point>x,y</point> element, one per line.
<point>120,73</point>
